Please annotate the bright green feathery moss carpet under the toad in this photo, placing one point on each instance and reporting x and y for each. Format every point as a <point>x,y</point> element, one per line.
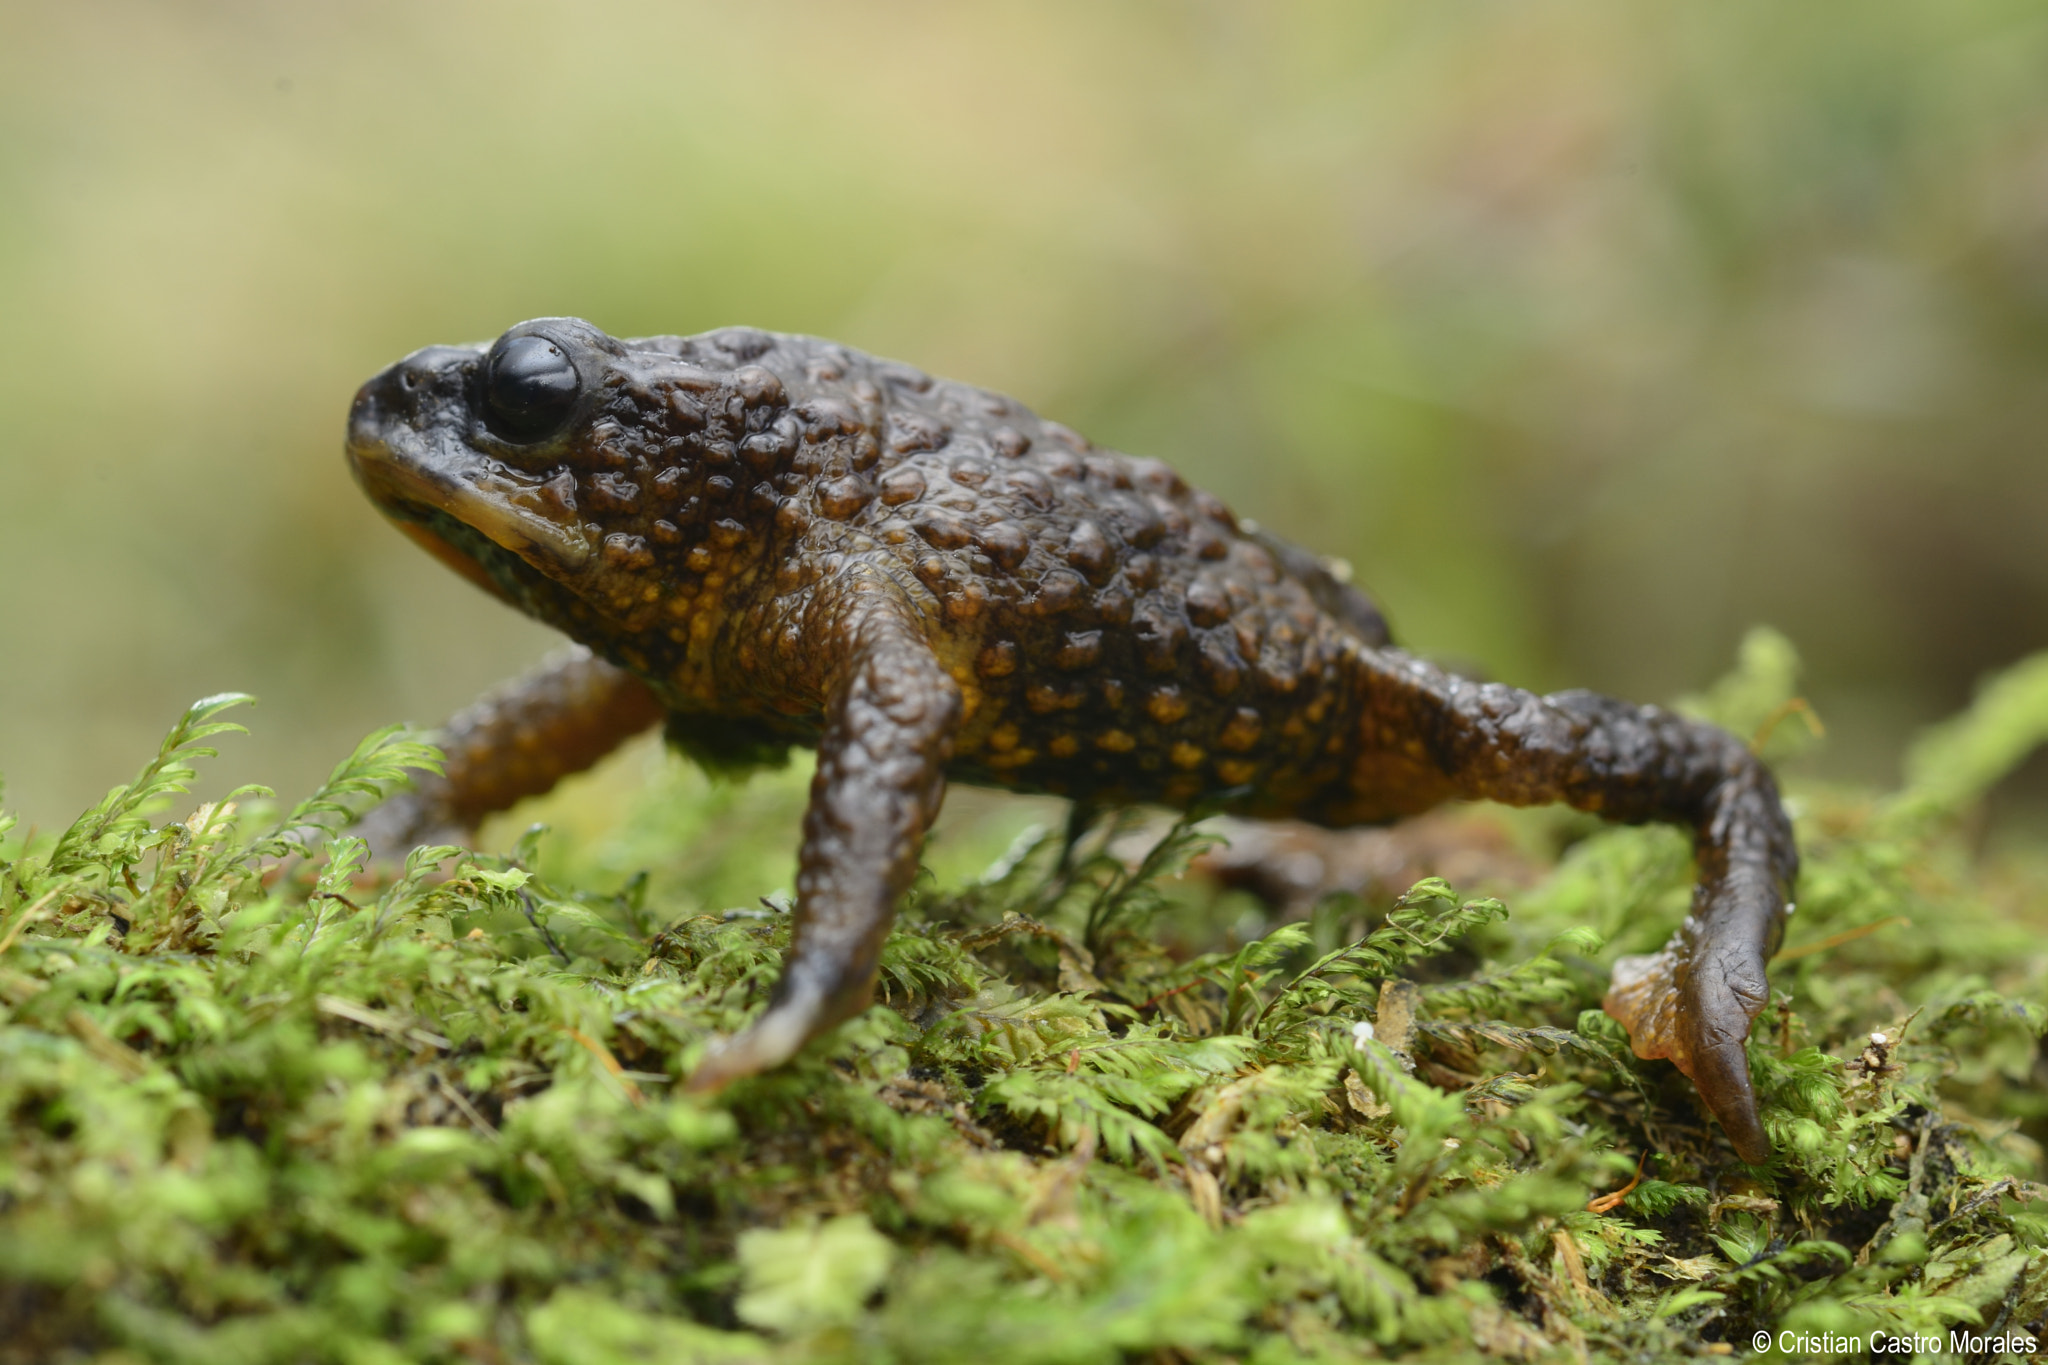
<point>263,1106</point>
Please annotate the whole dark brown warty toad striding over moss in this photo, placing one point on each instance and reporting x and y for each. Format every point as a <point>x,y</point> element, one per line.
<point>779,541</point>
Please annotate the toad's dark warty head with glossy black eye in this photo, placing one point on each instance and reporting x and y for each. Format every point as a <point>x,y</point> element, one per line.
<point>568,472</point>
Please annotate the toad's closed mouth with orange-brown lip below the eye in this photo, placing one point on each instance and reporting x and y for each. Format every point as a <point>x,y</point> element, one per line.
<point>509,511</point>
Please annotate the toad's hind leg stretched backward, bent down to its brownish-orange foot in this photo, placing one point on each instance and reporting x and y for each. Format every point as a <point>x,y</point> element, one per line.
<point>1433,736</point>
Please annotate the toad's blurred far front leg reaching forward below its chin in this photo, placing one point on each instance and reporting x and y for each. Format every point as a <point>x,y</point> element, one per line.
<point>515,742</point>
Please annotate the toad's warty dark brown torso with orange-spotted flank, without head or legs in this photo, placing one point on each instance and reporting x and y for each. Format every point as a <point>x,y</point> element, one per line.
<point>1113,633</point>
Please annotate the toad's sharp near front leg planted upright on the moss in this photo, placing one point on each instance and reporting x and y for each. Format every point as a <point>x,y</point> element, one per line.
<point>880,781</point>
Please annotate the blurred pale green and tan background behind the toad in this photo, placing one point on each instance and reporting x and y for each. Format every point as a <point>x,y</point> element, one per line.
<point>1590,333</point>
